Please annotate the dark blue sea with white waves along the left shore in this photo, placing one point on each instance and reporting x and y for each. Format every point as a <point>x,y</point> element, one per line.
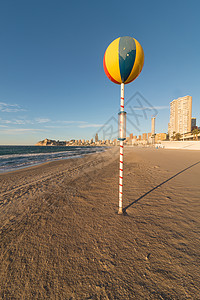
<point>18,157</point>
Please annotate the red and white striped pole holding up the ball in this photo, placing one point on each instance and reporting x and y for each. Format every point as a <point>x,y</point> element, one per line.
<point>122,137</point>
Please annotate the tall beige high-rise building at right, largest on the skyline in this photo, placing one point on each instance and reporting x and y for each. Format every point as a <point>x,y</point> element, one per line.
<point>180,115</point>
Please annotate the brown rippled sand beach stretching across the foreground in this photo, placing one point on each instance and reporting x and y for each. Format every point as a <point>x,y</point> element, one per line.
<point>61,236</point>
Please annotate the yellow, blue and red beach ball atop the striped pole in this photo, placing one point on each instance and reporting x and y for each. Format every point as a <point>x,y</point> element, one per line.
<point>123,60</point>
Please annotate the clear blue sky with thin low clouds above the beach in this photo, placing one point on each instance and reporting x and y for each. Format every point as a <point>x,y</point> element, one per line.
<point>52,82</point>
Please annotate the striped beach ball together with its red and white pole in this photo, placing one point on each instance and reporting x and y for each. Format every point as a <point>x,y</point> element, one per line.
<point>123,61</point>
